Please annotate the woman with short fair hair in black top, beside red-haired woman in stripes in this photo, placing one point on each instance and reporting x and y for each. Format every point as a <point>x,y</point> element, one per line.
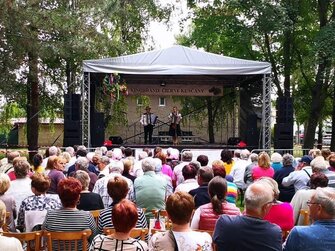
<point>88,200</point>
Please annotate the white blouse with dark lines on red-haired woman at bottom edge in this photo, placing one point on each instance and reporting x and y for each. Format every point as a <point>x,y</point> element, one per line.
<point>107,243</point>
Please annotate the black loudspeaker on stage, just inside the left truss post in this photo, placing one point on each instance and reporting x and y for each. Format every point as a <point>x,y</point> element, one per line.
<point>97,129</point>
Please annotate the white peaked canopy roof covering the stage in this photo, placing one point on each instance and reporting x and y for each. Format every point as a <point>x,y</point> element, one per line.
<point>177,60</point>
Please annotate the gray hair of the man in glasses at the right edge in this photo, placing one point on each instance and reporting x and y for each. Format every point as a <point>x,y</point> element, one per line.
<point>326,197</point>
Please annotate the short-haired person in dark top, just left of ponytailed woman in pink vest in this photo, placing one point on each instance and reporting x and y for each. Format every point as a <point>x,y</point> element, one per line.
<point>200,194</point>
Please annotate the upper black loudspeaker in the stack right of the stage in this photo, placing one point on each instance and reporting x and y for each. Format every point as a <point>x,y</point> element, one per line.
<point>284,108</point>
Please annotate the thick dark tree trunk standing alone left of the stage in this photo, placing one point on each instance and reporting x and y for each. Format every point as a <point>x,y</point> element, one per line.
<point>32,104</point>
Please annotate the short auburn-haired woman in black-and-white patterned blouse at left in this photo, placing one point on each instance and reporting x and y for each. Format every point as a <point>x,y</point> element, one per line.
<point>40,183</point>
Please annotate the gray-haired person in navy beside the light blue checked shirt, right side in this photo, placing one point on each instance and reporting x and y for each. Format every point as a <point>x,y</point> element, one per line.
<point>286,192</point>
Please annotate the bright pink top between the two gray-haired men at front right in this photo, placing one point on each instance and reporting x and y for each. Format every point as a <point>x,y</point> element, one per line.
<point>282,215</point>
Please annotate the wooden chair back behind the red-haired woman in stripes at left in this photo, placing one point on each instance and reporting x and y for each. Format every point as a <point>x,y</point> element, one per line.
<point>67,241</point>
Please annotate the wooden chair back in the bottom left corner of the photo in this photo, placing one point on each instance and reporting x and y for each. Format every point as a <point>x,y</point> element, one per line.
<point>33,239</point>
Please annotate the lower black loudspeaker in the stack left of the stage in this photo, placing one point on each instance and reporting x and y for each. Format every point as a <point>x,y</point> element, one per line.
<point>72,132</point>
